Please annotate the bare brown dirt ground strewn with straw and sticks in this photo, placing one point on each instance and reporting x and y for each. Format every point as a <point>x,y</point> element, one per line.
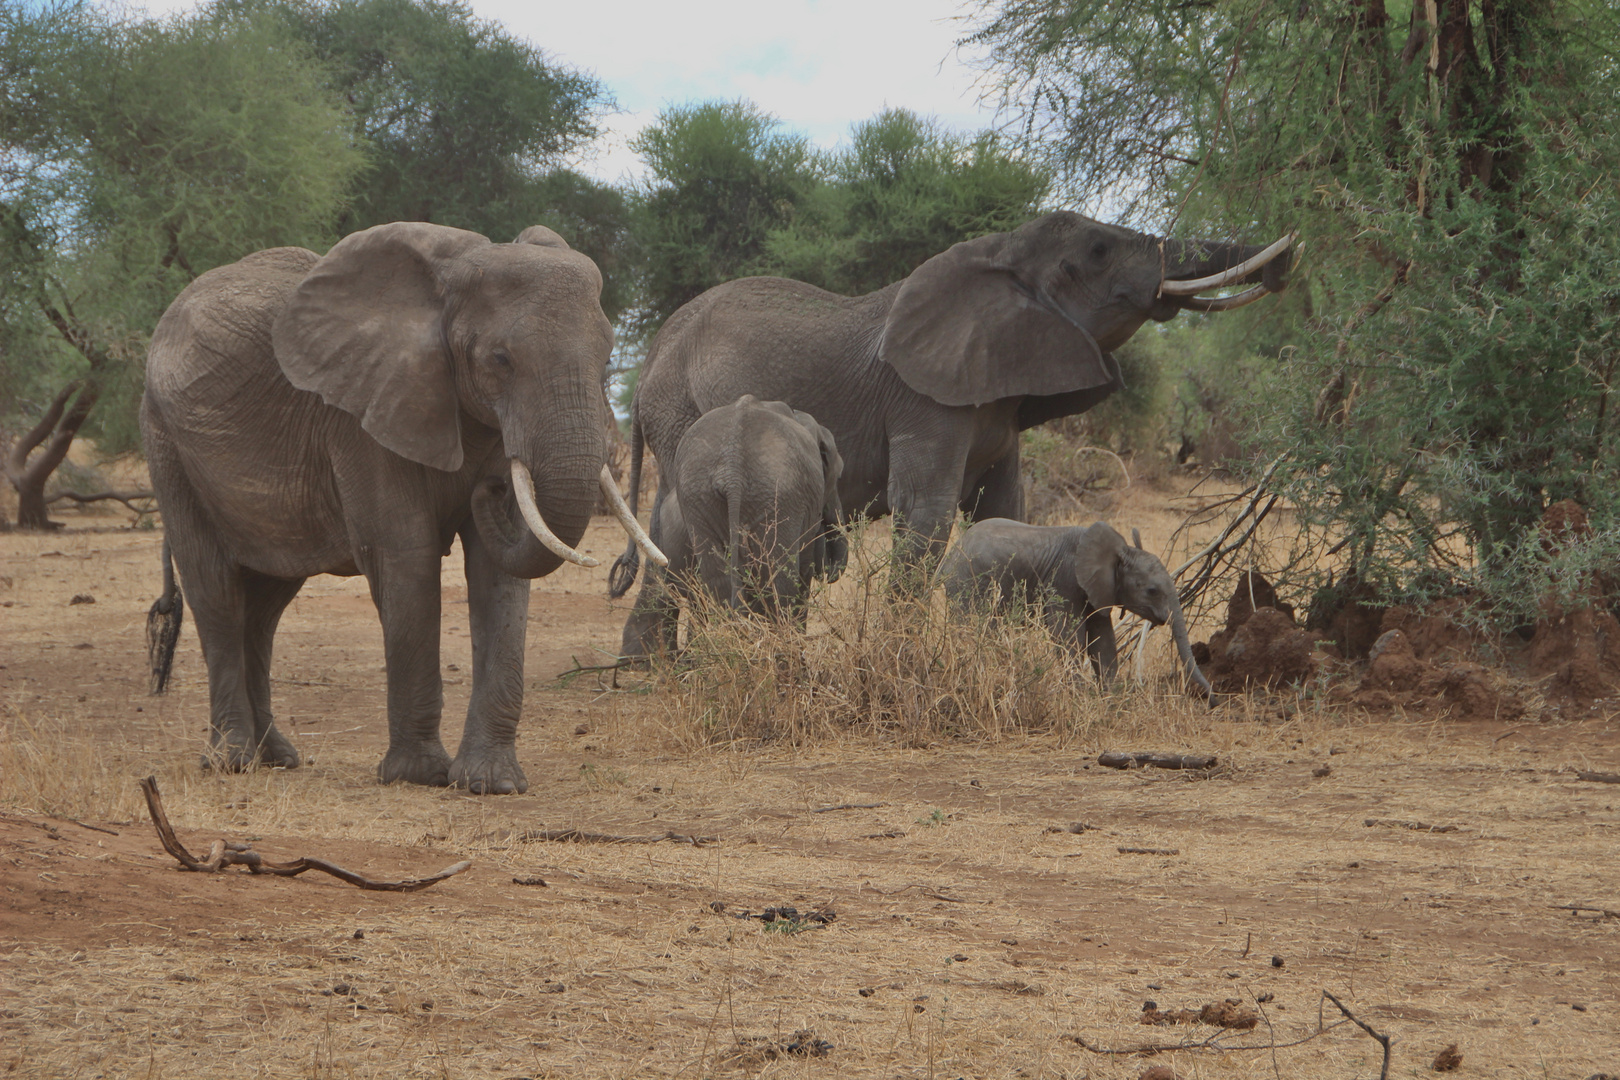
<point>986,938</point>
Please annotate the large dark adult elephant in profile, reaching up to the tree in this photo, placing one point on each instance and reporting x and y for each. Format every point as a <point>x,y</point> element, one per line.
<point>927,385</point>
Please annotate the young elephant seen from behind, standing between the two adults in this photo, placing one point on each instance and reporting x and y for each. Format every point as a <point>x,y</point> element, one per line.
<point>752,514</point>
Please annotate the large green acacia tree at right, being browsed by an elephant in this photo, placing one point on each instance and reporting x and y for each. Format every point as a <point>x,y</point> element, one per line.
<point>1452,168</point>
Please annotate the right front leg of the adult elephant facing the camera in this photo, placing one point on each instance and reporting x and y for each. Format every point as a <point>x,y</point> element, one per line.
<point>498,614</point>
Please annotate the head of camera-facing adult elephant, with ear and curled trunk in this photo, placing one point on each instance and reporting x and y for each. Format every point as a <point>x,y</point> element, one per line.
<point>424,330</point>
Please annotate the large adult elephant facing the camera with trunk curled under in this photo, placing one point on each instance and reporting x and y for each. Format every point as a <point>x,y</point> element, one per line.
<point>354,414</point>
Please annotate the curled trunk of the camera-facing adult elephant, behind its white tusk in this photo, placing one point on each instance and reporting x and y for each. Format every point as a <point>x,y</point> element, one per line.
<point>561,490</point>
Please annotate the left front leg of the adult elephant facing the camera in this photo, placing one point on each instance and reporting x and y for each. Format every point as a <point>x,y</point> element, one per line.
<point>406,590</point>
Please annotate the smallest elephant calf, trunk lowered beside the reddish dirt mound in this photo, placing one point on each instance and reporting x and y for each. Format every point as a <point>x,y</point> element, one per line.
<point>1073,576</point>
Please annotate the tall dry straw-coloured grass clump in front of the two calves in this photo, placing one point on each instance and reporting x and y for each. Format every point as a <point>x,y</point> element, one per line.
<point>880,666</point>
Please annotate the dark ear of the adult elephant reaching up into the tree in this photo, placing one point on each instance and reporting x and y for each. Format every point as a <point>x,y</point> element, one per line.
<point>973,326</point>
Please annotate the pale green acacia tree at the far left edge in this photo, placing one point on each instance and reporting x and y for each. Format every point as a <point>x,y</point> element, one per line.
<point>135,156</point>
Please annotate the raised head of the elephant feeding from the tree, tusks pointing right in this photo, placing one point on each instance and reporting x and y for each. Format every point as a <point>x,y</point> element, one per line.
<point>1036,312</point>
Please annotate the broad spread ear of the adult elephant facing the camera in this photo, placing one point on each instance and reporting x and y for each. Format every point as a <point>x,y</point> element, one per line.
<point>365,331</point>
